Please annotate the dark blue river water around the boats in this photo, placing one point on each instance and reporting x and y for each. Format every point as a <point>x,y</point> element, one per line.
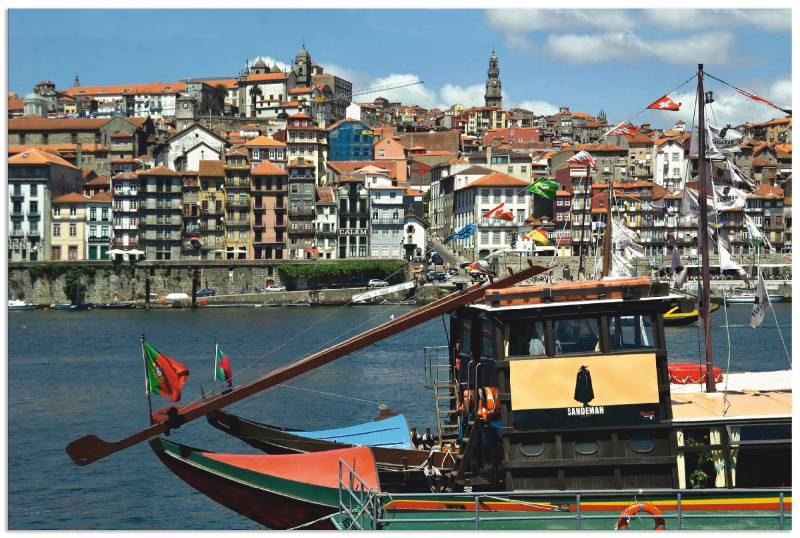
<point>73,373</point>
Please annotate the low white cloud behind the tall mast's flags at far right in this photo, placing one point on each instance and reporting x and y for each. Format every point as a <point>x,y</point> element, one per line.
<point>729,106</point>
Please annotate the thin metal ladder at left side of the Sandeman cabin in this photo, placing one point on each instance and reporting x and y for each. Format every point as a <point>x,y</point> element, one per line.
<point>437,378</point>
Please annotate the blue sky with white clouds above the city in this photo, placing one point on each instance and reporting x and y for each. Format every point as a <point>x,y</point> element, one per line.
<point>617,60</point>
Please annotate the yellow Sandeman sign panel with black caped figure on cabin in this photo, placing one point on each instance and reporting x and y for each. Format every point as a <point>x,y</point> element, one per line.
<point>615,380</point>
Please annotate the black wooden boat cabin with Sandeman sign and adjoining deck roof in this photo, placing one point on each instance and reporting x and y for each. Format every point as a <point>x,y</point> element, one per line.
<point>567,387</point>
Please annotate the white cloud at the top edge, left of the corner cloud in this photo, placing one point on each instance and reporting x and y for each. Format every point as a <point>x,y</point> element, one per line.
<point>527,20</point>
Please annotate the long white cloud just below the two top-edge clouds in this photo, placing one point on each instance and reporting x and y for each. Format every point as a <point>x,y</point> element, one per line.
<point>590,48</point>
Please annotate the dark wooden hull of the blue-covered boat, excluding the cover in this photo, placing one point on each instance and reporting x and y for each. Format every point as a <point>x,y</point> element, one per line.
<point>399,469</point>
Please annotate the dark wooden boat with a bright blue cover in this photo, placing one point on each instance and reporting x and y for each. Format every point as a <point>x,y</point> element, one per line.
<point>401,467</point>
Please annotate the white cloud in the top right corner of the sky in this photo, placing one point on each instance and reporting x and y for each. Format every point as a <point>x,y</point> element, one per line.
<point>773,20</point>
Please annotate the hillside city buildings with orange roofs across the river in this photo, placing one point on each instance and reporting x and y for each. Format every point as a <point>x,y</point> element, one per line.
<point>280,165</point>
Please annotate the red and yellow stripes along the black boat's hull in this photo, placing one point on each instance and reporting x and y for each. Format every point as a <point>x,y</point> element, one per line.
<point>566,504</point>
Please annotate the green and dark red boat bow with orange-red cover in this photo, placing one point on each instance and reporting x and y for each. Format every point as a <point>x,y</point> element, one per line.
<point>279,492</point>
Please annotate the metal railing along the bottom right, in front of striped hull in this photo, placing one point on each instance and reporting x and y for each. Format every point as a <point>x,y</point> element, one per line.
<point>568,510</point>
